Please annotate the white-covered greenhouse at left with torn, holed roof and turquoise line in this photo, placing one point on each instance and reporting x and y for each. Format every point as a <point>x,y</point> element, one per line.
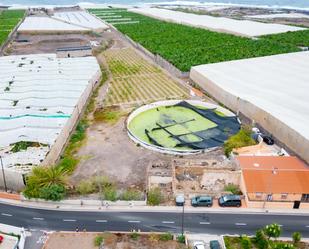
<point>41,99</point>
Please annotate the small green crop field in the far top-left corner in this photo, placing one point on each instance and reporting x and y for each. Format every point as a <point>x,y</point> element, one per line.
<point>8,20</point>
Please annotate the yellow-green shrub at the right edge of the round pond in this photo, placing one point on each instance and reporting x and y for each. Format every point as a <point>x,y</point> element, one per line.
<point>241,139</point>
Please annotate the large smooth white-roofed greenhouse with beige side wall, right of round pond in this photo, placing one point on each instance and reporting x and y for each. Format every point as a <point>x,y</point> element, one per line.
<point>273,91</point>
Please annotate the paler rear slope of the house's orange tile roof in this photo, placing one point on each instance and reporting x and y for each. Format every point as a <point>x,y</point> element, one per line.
<point>270,162</point>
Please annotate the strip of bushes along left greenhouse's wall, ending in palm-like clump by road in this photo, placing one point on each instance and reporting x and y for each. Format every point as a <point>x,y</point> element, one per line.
<point>50,182</point>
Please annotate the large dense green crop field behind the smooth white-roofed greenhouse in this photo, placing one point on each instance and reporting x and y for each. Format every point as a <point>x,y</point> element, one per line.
<point>186,46</point>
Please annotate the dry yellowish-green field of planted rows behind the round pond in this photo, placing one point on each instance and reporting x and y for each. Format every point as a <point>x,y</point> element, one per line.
<point>137,81</point>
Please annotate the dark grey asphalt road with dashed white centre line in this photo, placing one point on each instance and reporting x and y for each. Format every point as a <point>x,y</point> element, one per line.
<point>211,223</point>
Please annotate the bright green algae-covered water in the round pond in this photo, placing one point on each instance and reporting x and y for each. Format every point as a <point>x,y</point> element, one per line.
<point>177,120</point>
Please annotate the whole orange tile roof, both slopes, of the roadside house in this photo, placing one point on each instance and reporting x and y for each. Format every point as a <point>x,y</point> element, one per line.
<point>274,174</point>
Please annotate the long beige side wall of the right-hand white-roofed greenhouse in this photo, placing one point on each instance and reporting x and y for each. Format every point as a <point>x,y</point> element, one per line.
<point>288,136</point>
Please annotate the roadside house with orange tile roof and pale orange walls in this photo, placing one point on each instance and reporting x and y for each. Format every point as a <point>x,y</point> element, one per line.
<point>274,181</point>
